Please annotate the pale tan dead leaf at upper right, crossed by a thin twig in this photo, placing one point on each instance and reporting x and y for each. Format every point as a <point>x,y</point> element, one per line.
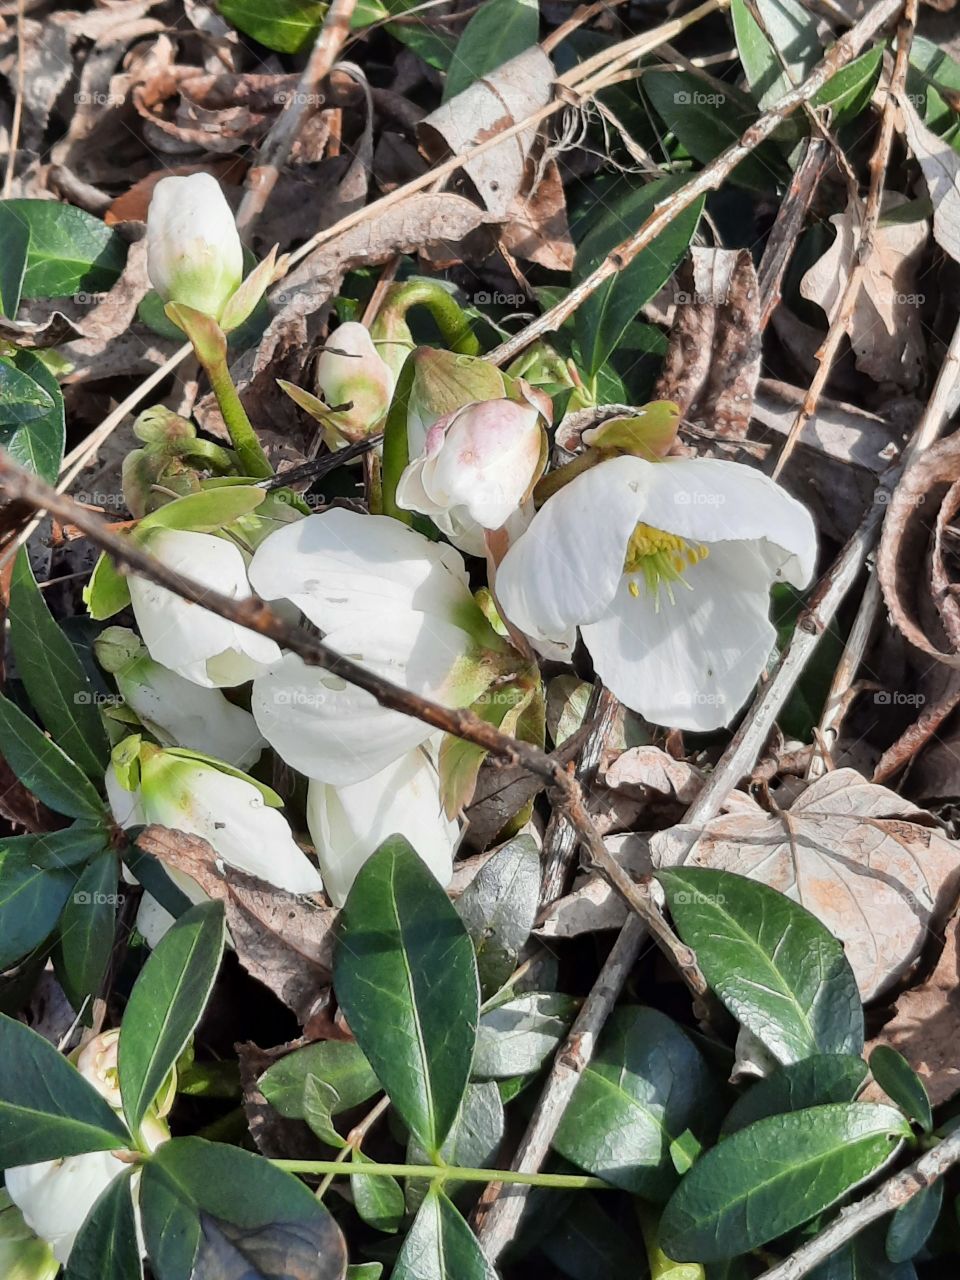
<point>885,327</point>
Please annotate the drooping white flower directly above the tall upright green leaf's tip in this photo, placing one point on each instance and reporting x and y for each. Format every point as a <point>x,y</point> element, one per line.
<point>350,824</point>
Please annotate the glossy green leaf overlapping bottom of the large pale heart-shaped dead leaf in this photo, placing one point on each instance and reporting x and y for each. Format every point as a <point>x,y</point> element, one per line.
<point>776,968</point>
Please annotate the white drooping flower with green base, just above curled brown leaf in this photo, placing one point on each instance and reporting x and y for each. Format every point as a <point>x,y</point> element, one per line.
<point>232,816</point>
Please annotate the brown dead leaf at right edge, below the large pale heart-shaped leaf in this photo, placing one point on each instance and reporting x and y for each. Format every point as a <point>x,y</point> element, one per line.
<point>926,1027</point>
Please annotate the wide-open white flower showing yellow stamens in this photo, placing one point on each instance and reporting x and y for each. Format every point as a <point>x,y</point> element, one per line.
<point>666,568</point>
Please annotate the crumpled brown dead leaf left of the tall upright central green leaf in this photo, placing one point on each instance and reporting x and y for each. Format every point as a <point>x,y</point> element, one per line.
<point>282,940</point>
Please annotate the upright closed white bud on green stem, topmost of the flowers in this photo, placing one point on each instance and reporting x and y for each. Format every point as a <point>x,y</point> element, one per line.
<point>194,252</point>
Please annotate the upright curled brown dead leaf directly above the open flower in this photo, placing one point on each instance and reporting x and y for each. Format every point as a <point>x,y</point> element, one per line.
<point>714,359</point>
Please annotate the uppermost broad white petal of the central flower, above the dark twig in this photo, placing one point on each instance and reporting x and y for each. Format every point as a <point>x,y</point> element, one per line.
<point>344,565</point>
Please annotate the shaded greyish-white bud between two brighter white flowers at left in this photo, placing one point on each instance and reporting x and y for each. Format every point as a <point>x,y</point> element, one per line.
<point>176,711</point>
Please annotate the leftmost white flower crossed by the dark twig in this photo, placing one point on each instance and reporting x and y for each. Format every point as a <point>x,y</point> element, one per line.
<point>196,644</point>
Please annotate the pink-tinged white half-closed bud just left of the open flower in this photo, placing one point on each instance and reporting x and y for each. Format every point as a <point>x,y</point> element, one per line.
<point>478,468</point>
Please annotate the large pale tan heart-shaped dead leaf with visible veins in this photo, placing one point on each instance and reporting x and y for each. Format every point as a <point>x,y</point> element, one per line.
<point>856,854</point>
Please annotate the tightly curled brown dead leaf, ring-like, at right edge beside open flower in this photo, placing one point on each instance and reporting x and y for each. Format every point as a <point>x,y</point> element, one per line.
<point>912,566</point>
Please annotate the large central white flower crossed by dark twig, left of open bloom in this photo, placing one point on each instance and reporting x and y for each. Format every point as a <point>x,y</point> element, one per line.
<point>386,597</point>
